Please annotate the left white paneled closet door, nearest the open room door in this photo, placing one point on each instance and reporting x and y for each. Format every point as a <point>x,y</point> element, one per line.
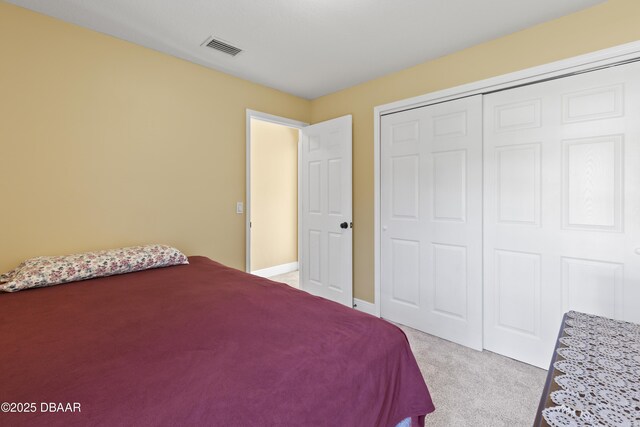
<point>431,219</point>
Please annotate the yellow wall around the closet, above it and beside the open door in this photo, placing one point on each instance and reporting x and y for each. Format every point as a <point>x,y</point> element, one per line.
<point>609,24</point>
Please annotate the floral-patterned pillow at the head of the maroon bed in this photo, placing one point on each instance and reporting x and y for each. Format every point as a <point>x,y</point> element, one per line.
<point>53,270</point>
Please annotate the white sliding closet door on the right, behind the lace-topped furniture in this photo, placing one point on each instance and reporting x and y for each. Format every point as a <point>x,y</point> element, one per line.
<point>562,207</point>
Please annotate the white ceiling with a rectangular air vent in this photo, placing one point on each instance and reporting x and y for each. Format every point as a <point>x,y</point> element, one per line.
<point>308,48</point>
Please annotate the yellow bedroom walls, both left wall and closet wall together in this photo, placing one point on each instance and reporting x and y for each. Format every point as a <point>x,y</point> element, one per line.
<point>111,144</point>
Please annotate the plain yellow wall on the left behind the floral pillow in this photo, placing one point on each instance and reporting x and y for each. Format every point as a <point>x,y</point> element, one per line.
<point>104,143</point>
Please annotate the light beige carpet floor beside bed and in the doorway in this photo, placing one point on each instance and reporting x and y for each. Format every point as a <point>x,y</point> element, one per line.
<point>468,387</point>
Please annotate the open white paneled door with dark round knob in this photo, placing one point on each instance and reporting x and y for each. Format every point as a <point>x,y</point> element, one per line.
<point>326,227</point>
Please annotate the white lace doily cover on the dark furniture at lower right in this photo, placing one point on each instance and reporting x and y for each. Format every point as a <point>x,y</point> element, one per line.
<point>600,362</point>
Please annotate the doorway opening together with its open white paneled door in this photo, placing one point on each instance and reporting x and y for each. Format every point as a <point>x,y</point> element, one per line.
<point>323,220</point>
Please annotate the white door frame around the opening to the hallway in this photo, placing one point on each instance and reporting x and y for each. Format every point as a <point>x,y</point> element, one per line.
<point>265,117</point>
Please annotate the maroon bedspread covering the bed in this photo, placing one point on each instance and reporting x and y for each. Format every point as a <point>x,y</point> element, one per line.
<point>201,344</point>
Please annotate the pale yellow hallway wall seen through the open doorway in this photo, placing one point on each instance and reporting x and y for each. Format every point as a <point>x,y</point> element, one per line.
<point>274,195</point>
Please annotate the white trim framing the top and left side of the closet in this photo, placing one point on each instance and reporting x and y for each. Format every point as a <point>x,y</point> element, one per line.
<point>628,52</point>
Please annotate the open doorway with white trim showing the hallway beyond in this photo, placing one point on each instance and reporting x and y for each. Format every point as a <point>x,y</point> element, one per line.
<point>272,197</point>
